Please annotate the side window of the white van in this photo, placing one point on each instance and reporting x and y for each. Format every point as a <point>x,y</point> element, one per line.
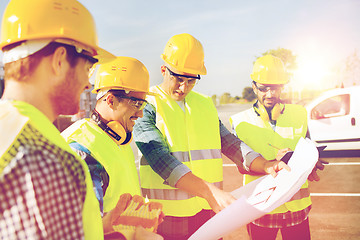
<point>332,107</point>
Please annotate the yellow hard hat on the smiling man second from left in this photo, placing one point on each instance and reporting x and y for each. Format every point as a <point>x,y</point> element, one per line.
<point>122,73</point>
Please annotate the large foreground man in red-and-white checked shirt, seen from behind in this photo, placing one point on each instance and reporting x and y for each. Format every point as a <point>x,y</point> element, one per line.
<point>45,190</point>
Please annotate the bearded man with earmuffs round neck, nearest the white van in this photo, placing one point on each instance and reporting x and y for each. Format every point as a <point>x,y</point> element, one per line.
<point>266,127</point>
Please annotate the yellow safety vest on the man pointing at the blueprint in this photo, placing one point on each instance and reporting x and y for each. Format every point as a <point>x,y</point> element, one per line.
<point>193,138</point>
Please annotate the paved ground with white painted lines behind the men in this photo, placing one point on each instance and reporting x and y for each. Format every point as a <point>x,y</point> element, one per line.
<point>336,198</point>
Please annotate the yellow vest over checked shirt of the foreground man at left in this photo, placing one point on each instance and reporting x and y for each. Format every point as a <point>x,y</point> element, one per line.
<point>18,115</point>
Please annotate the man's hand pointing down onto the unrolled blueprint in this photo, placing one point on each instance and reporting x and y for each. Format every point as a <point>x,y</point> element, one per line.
<point>218,199</point>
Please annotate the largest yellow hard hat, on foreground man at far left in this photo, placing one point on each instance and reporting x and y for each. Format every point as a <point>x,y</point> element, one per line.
<point>51,19</point>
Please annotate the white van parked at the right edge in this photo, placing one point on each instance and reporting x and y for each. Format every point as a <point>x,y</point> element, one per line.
<point>334,119</point>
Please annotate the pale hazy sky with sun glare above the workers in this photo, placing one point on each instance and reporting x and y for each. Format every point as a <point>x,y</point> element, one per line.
<point>321,33</point>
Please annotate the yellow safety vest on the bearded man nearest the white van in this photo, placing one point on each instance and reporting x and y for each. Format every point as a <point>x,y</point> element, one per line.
<point>257,134</point>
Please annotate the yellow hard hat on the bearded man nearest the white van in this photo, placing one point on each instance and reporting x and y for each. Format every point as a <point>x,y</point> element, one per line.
<point>269,70</point>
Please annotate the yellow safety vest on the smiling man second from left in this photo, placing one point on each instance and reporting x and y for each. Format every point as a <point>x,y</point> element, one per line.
<point>118,161</point>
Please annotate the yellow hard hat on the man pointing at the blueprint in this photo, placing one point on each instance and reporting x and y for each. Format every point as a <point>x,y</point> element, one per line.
<point>185,53</point>
